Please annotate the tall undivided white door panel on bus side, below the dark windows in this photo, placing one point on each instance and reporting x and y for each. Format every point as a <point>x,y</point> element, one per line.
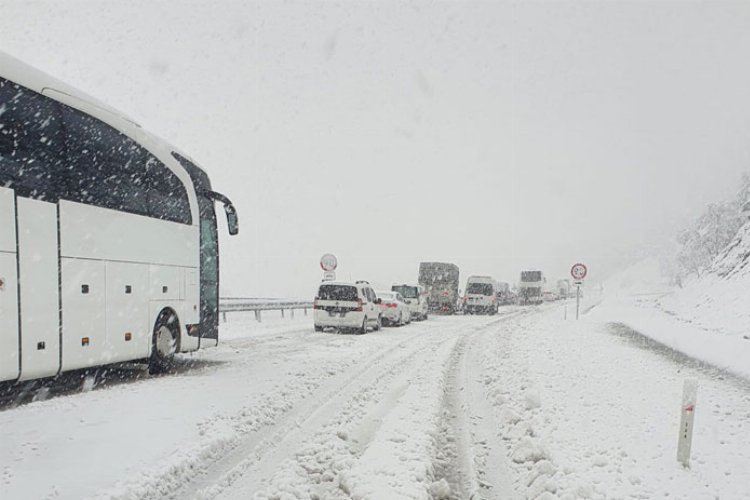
<point>39,288</point>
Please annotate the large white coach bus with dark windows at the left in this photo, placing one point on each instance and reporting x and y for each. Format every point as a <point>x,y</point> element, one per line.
<point>108,238</point>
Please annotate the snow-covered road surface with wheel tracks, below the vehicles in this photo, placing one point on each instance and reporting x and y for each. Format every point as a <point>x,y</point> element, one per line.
<point>520,405</point>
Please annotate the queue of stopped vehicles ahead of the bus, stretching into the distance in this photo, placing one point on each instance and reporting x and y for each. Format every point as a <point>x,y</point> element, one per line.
<point>358,307</point>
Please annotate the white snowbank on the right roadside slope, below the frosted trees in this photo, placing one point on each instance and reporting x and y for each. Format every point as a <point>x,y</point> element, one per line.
<point>707,319</point>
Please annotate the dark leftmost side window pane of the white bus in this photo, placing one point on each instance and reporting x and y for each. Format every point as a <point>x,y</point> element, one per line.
<point>31,143</point>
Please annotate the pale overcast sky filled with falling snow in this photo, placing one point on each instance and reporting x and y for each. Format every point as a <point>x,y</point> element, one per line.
<point>495,135</point>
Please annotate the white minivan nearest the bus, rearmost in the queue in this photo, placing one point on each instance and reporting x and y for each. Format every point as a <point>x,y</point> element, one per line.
<point>347,306</point>
